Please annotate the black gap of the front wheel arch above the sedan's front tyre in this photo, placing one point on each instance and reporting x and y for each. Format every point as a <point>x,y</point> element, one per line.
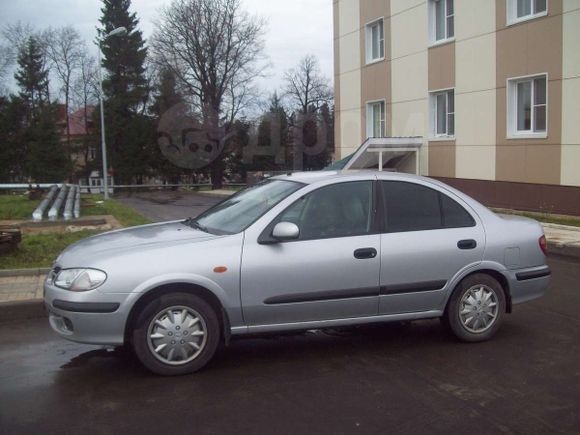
<point>179,287</point>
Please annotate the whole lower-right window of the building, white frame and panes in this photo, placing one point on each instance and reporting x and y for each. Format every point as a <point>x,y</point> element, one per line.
<point>528,102</point>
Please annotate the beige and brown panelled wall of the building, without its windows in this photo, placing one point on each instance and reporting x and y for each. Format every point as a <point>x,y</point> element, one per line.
<point>484,54</point>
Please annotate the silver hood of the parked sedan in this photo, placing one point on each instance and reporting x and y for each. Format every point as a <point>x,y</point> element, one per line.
<point>119,241</point>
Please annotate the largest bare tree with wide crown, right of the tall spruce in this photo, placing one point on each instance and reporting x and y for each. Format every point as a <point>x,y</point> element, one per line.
<point>214,48</point>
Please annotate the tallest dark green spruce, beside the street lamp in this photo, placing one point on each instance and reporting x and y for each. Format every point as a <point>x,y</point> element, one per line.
<point>129,133</point>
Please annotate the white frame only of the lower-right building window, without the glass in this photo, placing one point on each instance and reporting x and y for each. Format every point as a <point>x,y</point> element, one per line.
<point>512,108</point>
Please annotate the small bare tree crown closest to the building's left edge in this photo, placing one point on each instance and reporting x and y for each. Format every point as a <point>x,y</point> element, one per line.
<point>306,87</point>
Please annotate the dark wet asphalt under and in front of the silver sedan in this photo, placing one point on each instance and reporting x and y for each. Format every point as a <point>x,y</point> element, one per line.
<point>410,378</point>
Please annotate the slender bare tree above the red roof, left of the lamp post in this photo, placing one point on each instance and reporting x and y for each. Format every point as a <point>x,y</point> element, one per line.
<point>64,48</point>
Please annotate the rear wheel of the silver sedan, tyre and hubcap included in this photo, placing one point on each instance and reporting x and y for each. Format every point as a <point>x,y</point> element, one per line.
<point>476,308</point>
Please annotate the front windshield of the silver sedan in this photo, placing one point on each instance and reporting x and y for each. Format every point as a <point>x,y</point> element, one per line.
<point>236,213</point>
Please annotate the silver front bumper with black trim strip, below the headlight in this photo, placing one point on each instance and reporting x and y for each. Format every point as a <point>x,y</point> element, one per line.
<point>91,317</point>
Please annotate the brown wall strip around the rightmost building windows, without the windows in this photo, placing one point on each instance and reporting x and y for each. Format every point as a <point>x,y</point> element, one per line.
<point>530,47</point>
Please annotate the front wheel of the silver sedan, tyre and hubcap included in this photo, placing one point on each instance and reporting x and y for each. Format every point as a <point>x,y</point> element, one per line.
<point>176,334</point>
